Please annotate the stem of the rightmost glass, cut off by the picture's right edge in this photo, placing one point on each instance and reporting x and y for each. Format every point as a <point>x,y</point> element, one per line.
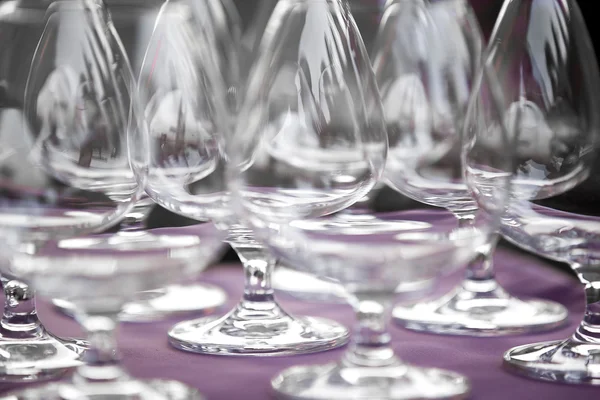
<point>589,329</point>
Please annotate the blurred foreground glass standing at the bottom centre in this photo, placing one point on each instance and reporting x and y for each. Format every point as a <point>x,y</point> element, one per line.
<point>336,117</point>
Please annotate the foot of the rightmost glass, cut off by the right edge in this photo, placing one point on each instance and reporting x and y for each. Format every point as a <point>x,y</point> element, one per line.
<point>566,361</point>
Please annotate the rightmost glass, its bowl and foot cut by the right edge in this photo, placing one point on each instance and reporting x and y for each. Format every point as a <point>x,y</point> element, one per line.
<point>552,89</point>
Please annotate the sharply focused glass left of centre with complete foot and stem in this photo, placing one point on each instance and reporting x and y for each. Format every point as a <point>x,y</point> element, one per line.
<point>189,121</point>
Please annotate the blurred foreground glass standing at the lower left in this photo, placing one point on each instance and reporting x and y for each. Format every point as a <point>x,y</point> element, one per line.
<point>80,104</point>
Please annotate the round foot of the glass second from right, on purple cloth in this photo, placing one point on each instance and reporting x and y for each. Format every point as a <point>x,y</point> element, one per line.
<point>481,313</point>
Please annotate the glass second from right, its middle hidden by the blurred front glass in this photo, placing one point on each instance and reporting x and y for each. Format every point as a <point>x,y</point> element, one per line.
<point>426,58</point>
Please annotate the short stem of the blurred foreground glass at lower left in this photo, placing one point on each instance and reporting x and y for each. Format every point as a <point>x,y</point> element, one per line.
<point>102,359</point>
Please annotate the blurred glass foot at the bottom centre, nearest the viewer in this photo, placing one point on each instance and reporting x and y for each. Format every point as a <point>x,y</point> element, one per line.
<point>340,382</point>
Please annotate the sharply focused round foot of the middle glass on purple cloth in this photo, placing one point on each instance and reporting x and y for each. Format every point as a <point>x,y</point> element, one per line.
<point>258,329</point>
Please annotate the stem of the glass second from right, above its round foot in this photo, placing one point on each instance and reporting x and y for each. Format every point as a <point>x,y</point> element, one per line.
<point>480,276</point>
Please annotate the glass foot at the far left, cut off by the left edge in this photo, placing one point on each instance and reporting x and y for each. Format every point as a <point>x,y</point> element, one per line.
<point>41,358</point>
